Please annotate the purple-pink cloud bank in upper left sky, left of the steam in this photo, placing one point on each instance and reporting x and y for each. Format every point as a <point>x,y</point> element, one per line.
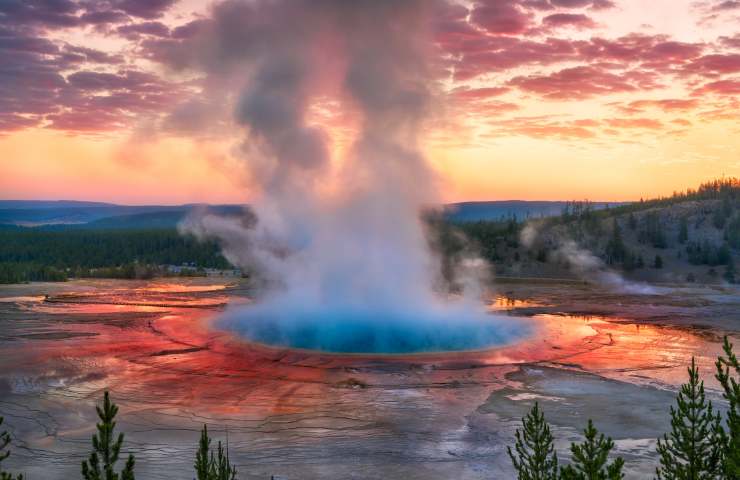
<point>47,82</point>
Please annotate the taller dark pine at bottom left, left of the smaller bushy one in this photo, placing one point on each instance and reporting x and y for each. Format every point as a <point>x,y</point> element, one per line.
<point>102,461</point>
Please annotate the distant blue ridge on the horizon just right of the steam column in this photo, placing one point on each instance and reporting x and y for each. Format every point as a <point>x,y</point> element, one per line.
<point>521,209</point>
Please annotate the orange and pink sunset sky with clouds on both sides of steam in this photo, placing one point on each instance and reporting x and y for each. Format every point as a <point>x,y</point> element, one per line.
<point>127,100</point>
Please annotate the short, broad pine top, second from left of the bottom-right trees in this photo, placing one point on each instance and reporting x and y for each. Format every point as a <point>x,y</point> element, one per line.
<point>590,458</point>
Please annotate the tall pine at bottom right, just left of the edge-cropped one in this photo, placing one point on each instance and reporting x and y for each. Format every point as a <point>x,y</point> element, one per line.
<point>693,449</point>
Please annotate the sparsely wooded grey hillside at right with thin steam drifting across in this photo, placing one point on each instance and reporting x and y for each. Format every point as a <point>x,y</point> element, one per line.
<point>693,236</point>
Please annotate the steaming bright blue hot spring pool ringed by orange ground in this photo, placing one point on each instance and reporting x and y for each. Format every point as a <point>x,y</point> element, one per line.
<point>347,329</point>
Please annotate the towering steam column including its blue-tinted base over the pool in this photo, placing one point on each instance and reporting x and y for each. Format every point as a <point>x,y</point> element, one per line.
<point>350,269</point>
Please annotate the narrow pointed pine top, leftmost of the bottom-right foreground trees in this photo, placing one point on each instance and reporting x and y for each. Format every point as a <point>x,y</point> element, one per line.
<point>535,457</point>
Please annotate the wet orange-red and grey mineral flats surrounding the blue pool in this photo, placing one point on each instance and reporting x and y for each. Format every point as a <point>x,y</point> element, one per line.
<point>307,415</point>
